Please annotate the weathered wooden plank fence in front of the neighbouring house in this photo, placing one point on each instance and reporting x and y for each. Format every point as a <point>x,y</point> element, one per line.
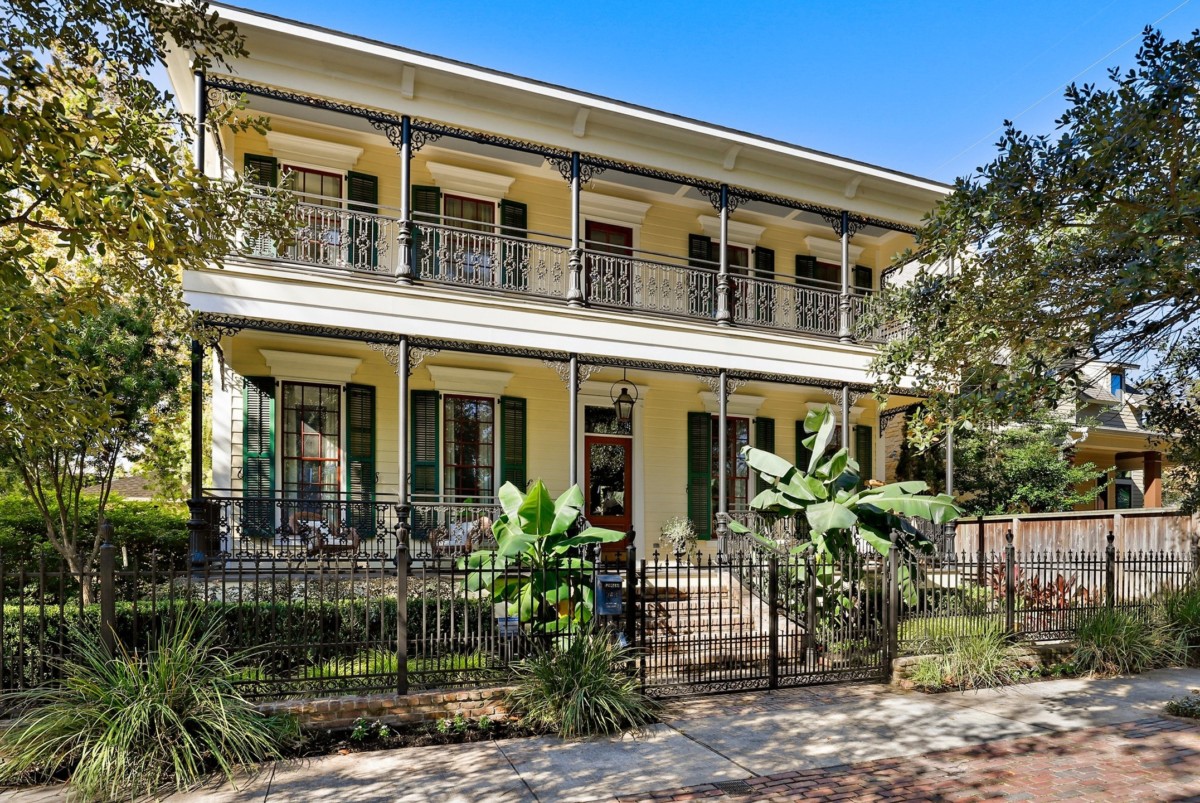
<point>1149,530</point>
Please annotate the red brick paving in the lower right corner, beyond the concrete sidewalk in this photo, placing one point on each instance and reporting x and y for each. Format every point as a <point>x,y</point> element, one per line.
<point>1148,760</point>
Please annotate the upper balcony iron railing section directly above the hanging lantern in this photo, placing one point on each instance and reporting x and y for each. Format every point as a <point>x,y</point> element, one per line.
<point>633,284</point>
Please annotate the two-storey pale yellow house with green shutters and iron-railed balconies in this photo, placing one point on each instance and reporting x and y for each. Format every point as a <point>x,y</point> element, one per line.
<point>484,266</point>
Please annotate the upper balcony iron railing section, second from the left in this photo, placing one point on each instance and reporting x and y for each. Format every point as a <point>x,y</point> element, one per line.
<point>482,260</point>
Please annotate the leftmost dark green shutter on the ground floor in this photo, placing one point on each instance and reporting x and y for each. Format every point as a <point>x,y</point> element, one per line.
<point>259,457</point>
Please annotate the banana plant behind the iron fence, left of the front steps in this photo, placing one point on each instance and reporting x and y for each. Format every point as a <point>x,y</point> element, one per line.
<point>537,568</point>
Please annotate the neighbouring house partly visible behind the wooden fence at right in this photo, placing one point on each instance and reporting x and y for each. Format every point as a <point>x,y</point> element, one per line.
<point>1109,412</point>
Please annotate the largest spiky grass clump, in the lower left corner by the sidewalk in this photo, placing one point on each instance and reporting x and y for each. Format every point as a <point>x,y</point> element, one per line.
<point>134,726</point>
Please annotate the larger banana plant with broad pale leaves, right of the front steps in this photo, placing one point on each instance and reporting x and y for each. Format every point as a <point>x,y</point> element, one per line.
<point>830,496</point>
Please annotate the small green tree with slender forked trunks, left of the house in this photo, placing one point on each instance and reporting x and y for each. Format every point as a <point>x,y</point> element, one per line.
<point>133,376</point>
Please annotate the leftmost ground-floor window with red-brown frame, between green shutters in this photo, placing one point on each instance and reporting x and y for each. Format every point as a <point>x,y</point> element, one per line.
<point>313,426</point>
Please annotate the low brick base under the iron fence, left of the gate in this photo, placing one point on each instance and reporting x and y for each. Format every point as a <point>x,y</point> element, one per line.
<point>393,709</point>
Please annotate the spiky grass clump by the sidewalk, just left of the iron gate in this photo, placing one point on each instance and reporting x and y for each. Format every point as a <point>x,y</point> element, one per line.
<point>581,688</point>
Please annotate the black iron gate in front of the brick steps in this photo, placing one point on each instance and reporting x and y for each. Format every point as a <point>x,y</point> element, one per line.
<point>755,620</point>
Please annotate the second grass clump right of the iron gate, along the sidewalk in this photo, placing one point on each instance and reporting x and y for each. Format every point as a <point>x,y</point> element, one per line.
<point>1119,643</point>
